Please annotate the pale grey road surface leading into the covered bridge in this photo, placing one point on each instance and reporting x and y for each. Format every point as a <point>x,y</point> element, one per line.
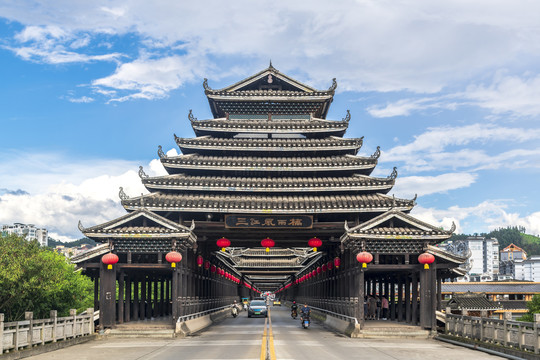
<point>242,338</point>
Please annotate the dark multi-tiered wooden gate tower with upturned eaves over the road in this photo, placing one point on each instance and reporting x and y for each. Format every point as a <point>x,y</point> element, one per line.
<point>269,165</point>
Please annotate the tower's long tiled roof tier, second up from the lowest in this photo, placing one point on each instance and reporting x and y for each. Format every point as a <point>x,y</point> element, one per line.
<point>354,183</point>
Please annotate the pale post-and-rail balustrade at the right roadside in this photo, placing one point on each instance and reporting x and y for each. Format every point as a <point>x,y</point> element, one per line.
<point>516,334</point>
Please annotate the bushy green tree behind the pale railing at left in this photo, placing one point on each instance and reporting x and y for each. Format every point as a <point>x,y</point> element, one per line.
<point>39,280</point>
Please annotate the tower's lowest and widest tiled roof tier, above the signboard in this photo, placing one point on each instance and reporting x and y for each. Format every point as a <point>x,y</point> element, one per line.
<point>261,204</point>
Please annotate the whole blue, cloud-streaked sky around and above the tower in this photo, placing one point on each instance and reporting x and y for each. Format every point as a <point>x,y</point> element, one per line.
<point>449,90</point>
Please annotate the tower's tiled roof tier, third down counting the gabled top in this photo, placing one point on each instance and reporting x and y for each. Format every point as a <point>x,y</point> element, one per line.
<point>334,145</point>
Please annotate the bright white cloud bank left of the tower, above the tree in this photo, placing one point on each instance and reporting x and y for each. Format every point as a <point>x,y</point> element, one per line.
<point>65,192</point>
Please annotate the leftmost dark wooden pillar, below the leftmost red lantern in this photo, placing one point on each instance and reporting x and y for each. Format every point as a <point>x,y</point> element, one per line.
<point>107,296</point>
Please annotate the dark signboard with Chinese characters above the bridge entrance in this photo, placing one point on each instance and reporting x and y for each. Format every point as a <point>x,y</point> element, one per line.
<point>269,221</point>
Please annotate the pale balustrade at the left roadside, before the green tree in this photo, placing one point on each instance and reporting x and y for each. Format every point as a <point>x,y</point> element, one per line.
<point>30,332</point>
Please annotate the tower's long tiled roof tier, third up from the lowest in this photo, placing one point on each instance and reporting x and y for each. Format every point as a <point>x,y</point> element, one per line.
<point>363,165</point>
